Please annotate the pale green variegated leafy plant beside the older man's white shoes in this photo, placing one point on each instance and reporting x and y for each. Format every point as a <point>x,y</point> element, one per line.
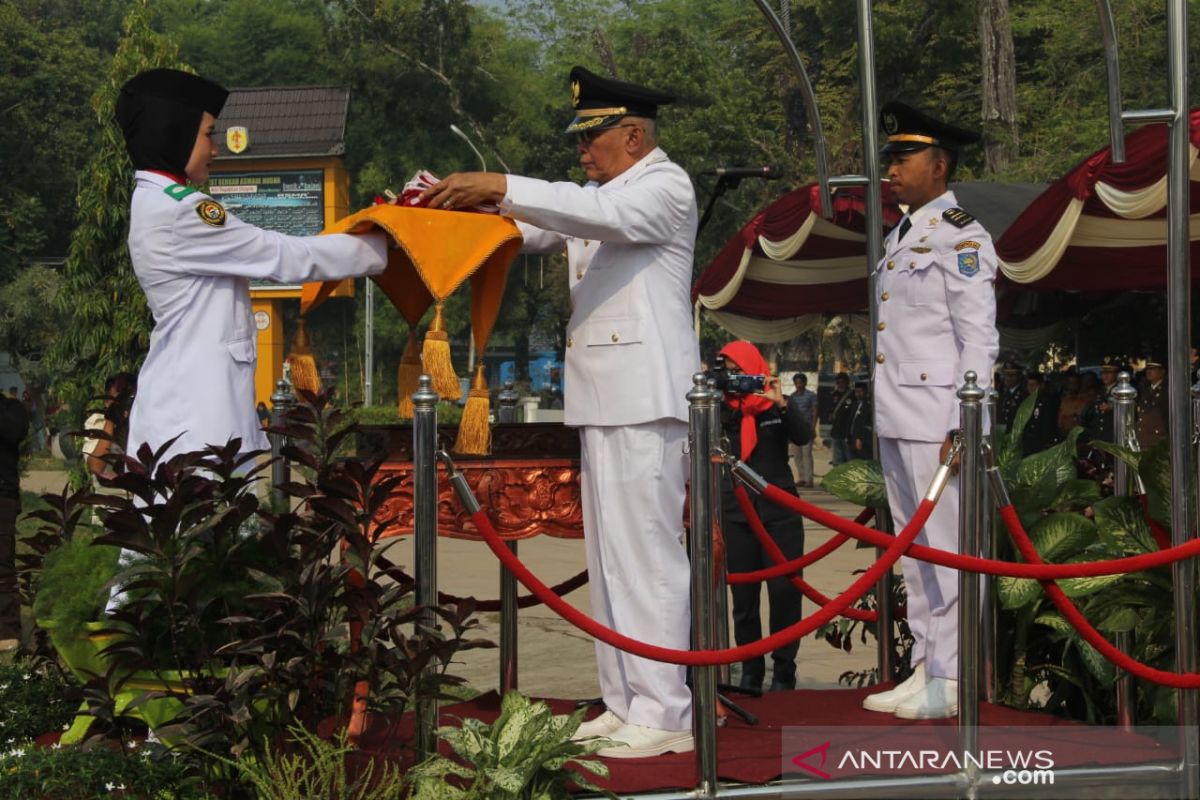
<point>526,754</point>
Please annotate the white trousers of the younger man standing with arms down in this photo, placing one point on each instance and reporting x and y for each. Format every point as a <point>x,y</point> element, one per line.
<point>933,591</point>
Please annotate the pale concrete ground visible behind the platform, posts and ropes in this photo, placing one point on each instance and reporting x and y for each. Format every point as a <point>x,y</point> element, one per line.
<point>556,659</point>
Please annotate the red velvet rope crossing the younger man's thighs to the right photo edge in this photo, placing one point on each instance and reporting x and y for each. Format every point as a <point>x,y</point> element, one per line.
<point>1039,572</point>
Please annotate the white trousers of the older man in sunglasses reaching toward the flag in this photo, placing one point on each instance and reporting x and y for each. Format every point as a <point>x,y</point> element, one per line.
<point>632,480</point>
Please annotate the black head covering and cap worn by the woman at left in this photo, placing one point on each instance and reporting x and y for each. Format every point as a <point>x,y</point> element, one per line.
<point>160,113</point>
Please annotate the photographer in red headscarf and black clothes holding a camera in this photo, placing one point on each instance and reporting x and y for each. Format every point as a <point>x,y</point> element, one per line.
<point>759,429</point>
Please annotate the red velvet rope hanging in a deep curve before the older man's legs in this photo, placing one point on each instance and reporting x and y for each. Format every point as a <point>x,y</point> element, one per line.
<point>706,658</point>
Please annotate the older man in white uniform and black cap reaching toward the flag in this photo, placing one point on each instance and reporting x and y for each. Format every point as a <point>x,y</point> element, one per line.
<point>629,236</point>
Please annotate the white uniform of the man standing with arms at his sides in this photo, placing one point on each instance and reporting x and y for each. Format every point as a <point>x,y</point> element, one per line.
<point>935,294</point>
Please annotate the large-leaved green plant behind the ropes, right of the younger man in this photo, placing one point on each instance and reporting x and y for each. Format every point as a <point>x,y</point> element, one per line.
<point>1047,663</point>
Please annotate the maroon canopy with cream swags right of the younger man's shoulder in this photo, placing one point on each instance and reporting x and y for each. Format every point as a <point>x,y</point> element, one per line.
<point>1103,226</point>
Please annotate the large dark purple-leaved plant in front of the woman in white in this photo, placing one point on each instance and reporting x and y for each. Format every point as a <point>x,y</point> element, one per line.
<point>243,610</point>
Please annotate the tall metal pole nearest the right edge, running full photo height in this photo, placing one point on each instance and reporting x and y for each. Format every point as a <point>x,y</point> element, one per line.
<point>1179,340</point>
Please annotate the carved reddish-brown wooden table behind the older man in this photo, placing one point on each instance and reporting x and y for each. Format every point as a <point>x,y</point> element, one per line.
<point>529,486</point>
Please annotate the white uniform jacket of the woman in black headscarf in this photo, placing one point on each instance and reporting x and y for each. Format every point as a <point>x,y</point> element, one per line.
<point>199,380</point>
